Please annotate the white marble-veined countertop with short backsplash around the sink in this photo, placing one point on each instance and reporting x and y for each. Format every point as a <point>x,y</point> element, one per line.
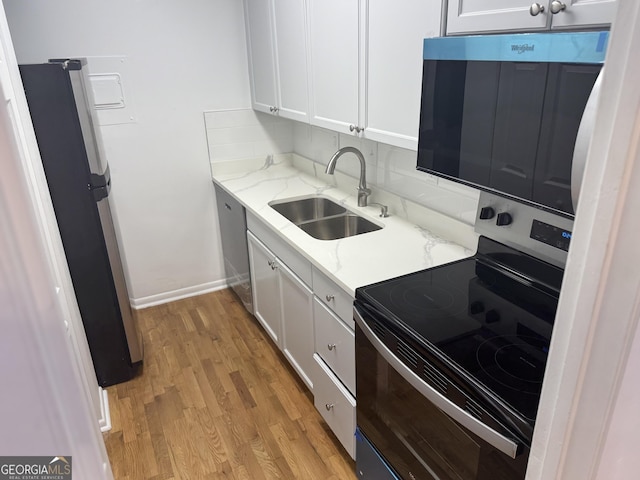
<point>412,238</point>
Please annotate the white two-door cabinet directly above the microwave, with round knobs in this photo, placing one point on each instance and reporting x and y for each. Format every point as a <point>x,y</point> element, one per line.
<point>472,16</point>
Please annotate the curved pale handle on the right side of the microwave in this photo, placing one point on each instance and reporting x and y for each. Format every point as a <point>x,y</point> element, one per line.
<point>581,148</point>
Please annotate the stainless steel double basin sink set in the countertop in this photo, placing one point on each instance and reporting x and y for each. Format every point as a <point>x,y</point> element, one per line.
<point>322,218</point>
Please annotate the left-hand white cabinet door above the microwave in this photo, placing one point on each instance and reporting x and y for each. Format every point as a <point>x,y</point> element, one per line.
<point>468,16</point>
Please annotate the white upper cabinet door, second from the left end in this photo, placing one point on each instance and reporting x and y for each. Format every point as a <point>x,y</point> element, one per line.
<point>291,59</point>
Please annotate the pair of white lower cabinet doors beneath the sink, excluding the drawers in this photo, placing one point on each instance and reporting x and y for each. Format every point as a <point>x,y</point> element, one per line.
<point>283,305</point>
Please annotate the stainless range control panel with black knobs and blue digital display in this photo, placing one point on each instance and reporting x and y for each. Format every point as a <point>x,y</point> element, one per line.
<point>537,232</point>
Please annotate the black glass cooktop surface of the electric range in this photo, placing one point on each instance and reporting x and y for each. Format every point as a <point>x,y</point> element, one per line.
<point>491,315</point>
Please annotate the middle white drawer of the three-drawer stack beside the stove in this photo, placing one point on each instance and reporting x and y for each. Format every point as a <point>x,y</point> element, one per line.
<point>335,343</point>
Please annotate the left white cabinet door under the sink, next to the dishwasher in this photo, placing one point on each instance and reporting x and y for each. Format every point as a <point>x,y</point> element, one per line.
<point>266,288</point>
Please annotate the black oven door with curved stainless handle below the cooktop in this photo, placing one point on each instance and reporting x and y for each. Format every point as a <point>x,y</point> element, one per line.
<point>415,429</point>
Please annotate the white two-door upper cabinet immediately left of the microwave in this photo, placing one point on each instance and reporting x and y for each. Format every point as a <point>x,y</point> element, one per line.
<point>366,66</point>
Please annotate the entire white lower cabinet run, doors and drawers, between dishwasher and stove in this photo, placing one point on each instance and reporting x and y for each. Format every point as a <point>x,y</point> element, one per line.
<point>312,327</point>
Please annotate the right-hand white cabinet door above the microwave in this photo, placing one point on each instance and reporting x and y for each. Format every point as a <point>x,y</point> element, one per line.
<point>584,13</point>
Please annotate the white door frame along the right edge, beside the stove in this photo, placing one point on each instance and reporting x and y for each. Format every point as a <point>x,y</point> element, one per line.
<point>589,378</point>
